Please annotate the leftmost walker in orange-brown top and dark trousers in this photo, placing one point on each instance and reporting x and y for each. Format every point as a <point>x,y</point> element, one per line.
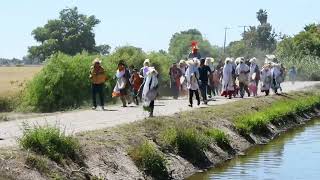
<point>98,79</point>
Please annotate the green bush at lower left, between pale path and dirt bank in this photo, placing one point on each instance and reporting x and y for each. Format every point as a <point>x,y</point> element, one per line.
<point>50,142</point>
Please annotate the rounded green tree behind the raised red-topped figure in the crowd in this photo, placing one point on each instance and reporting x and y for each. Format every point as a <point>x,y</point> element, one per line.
<point>180,44</point>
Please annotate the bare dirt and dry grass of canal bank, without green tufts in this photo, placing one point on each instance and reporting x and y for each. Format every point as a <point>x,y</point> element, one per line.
<point>107,152</point>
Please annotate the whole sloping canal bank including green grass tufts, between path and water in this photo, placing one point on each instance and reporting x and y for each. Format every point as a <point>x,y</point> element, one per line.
<point>175,146</point>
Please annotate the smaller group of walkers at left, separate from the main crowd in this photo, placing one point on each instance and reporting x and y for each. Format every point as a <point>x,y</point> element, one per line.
<point>132,85</point>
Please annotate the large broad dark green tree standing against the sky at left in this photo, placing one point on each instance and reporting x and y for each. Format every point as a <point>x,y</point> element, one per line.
<point>72,33</point>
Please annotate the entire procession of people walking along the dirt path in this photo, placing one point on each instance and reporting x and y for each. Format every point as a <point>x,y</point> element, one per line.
<point>235,77</point>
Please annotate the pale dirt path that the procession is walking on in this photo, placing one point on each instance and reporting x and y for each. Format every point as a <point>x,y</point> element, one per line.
<point>86,120</point>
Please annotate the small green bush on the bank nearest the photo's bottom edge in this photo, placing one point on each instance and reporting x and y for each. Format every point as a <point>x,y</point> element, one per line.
<point>151,161</point>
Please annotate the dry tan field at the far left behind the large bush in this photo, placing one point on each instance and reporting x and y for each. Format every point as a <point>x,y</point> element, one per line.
<point>12,79</point>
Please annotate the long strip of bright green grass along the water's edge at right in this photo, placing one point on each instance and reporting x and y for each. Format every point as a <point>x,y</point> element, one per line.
<point>256,122</point>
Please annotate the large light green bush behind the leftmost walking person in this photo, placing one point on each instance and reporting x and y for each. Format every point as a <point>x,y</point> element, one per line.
<point>62,83</point>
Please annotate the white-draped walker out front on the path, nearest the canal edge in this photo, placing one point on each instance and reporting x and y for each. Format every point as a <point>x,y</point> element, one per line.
<point>150,90</point>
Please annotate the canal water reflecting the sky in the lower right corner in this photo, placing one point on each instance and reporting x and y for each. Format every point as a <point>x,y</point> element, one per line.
<point>294,155</point>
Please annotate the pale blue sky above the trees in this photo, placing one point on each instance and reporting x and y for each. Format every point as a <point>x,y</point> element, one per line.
<point>149,24</point>
